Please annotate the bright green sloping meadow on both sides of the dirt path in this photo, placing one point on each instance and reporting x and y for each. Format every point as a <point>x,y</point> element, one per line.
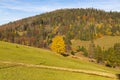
<point>30,55</point>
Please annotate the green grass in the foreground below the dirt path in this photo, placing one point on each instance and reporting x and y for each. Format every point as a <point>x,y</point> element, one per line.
<point>23,73</point>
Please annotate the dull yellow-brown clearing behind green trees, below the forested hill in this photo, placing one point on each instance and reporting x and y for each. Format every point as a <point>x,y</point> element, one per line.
<point>104,42</point>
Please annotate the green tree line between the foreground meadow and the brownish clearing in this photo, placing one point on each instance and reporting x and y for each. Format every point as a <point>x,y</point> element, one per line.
<point>109,57</point>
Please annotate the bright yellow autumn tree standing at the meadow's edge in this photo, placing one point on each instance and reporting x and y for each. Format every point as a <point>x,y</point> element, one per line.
<point>58,44</point>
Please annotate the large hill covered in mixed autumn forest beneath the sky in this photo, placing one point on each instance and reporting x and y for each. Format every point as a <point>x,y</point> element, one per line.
<point>83,24</point>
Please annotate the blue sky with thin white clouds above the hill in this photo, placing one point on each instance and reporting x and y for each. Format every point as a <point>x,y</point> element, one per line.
<point>11,10</point>
